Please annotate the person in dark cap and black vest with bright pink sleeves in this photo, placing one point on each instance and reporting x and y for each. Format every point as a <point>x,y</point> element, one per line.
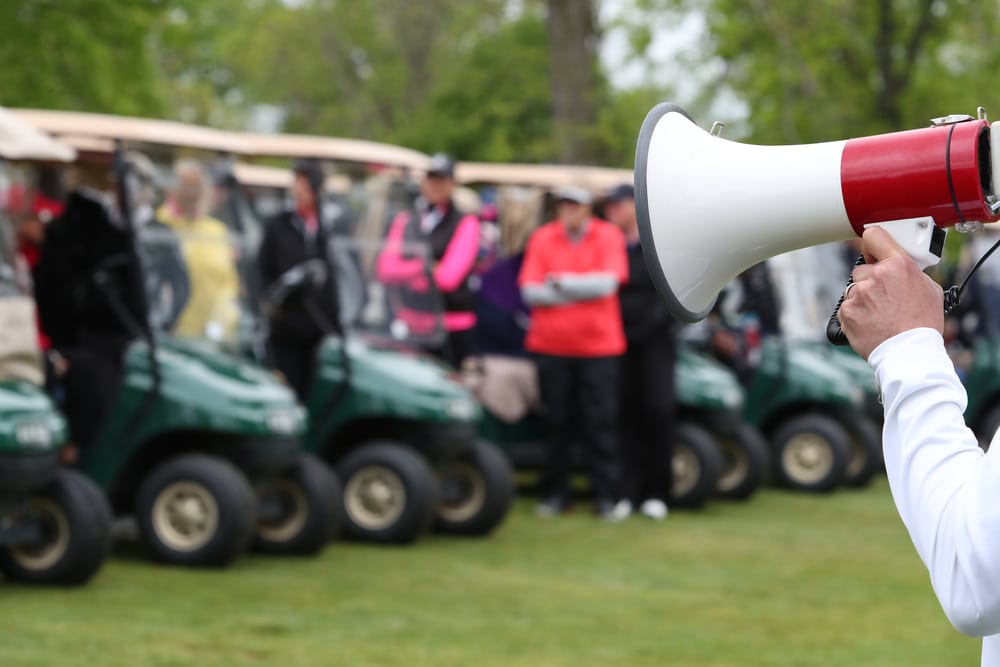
<point>454,239</point>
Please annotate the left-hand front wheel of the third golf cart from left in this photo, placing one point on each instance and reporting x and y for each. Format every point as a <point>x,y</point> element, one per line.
<point>390,493</point>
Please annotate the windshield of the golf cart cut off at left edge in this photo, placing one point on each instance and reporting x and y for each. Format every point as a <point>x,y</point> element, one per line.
<point>20,358</point>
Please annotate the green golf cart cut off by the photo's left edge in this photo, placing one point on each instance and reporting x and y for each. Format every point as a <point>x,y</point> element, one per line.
<point>55,524</point>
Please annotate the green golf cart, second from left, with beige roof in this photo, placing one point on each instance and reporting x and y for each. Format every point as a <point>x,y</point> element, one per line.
<point>200,447</point>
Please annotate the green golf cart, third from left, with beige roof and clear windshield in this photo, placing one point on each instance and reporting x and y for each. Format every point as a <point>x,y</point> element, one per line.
<point>398,426</point>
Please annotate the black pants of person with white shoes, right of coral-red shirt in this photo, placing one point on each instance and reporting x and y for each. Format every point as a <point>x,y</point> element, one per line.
<point>647,418</point>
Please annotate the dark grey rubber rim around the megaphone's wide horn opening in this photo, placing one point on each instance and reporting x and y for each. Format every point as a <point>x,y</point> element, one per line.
<point>642,214</point>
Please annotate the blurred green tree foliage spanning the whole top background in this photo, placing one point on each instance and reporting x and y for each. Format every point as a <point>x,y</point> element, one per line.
<point>502,79</point>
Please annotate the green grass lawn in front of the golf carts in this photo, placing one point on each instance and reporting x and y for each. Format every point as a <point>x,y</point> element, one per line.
<point>784,579</point>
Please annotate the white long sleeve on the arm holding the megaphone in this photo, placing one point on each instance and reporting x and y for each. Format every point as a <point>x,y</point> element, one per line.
<point>947,492</point>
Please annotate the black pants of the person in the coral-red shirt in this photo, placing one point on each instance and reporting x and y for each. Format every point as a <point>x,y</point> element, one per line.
<point>580,398</point>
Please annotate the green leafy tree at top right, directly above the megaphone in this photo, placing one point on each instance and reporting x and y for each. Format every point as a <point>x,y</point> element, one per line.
<point>835,68</point>
